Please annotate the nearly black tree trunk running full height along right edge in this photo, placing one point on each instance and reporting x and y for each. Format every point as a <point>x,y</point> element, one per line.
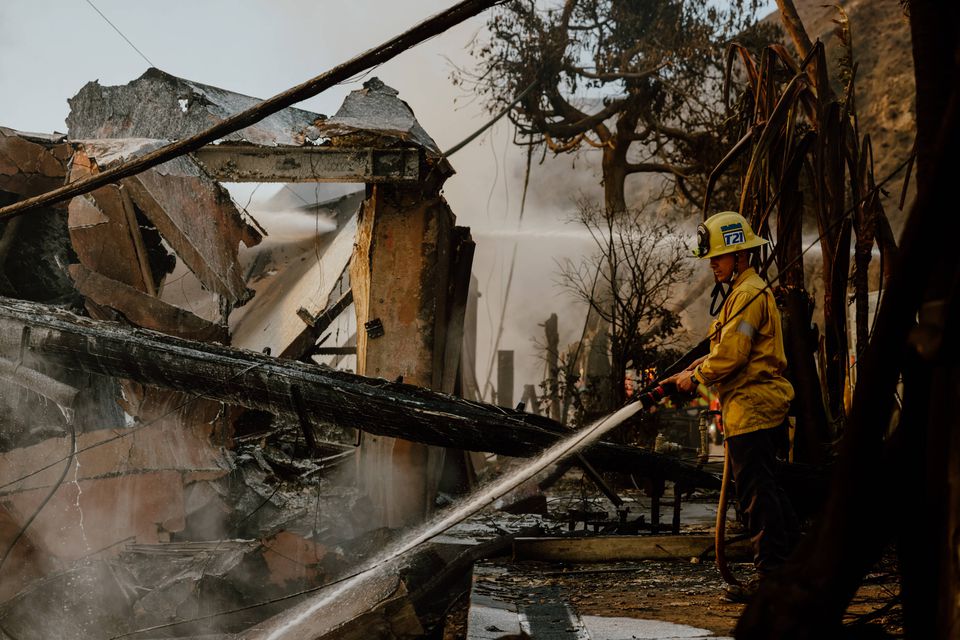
<point>931,575</point>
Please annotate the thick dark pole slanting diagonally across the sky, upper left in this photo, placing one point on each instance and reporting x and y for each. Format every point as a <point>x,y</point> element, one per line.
<point>386,51</point>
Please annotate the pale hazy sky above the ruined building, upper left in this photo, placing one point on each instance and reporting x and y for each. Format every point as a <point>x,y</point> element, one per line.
<point>52,47</point>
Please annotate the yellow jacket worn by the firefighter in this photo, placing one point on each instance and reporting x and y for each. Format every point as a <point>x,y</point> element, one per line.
<point>747,360</point>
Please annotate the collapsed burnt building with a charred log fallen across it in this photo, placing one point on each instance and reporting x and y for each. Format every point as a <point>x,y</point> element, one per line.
<point>176,431</point>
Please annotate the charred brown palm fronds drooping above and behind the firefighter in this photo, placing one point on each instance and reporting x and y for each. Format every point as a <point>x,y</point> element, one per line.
<point>801,159</point>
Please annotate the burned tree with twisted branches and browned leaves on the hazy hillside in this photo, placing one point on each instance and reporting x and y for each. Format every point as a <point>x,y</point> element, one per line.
<point>632,79</point>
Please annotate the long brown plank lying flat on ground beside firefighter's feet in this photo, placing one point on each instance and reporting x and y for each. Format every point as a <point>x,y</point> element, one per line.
<point>622,548</point>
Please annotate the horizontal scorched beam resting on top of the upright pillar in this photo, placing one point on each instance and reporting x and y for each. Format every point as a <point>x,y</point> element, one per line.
<point>242,163</point>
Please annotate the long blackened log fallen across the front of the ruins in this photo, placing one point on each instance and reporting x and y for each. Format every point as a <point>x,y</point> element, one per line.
<point>257,381</point>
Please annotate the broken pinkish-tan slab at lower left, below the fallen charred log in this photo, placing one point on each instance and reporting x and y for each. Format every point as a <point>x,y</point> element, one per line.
<point>115,489</point>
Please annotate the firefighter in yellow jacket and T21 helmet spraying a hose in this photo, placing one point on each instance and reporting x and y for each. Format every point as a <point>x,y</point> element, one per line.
<point>746,364</point>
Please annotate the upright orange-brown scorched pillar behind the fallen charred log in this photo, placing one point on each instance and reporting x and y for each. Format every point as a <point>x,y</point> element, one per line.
<point>398,274</point>
